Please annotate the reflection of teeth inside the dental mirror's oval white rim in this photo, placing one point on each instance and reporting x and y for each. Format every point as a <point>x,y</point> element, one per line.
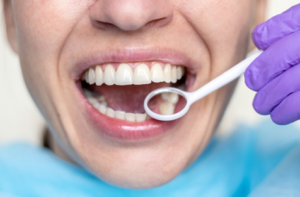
<point>167,103</point>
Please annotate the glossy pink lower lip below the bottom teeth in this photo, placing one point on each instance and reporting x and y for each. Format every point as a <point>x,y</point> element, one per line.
<point>121,129</point>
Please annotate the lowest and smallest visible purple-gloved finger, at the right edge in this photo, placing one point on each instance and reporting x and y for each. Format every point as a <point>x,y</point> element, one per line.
<point>288,110</point>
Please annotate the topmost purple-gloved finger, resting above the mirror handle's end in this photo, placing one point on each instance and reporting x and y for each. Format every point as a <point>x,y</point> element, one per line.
<point>276,28</point>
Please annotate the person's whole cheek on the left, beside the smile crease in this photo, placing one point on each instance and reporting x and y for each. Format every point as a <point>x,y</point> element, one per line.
<point>42,29</point>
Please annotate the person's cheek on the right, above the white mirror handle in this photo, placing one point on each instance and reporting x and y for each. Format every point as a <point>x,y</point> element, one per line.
<point>224,27</point>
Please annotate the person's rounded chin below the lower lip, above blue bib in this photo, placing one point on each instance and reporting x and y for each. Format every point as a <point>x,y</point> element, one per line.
<point>139,168</point>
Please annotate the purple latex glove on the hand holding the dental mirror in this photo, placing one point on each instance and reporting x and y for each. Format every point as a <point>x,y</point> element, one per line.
<point>275,74</point>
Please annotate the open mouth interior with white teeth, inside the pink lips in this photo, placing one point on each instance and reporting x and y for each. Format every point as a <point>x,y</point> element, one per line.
<point>118,90</point>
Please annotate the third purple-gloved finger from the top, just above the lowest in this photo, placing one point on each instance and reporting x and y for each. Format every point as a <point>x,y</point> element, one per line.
<point>277,90</point>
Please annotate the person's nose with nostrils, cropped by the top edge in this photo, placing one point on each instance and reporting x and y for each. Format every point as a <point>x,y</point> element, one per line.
<point>130,15</point>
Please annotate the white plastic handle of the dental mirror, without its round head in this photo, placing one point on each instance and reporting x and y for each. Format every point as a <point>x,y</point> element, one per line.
<point>225,78</point>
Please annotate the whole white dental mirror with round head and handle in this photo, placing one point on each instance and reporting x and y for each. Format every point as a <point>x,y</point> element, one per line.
<point>172,103</point>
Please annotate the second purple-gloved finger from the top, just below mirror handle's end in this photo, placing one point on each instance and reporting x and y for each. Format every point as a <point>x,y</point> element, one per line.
<point>275,60</point>
